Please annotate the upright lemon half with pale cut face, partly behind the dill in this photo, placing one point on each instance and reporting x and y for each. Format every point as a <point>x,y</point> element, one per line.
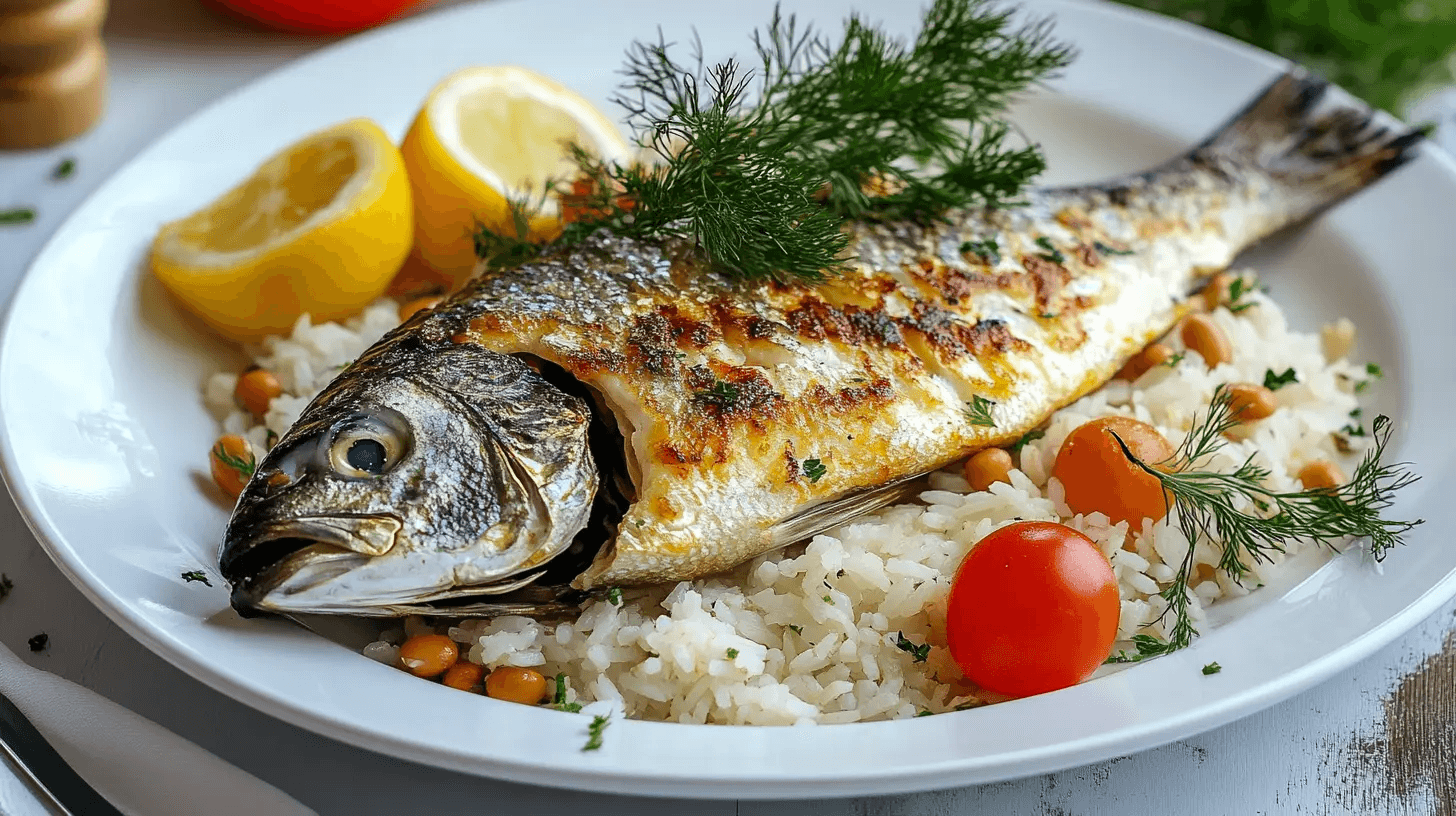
<point>486,138</point>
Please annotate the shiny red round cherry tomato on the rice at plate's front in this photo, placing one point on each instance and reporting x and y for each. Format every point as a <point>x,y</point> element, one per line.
<point>1034,608</point>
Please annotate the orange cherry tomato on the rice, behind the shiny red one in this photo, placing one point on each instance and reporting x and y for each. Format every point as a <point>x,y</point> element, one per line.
<point>1099,477</point>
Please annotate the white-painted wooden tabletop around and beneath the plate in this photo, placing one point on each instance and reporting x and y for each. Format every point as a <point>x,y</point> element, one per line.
<point>1380,739</point>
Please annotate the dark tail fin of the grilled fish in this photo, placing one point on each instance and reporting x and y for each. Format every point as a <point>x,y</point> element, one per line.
<point>1308,139</point>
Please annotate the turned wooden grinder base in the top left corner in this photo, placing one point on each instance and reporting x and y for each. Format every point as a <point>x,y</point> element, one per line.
<point>53,71</point>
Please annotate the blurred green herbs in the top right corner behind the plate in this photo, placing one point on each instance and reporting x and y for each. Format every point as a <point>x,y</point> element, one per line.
<point>1388,52</point>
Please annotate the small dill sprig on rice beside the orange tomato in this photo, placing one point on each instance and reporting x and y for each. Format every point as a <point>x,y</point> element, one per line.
<point>1208,506</point>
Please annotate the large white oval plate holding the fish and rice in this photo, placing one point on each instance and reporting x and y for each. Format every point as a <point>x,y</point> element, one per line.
<point>106,436</point>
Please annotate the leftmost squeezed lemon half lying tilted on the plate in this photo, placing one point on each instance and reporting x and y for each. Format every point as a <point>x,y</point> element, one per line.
<point>318,229</point>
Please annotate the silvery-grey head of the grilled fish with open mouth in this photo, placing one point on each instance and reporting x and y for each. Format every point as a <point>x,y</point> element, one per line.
<point>426,473</point>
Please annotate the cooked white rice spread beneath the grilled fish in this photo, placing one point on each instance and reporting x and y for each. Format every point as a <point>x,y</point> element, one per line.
<point>809,635</point>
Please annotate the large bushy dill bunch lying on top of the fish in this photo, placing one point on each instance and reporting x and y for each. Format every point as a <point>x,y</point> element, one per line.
<point>761,165</point>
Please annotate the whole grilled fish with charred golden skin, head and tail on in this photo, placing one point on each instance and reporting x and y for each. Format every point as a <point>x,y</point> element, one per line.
<point>618,415</point>
